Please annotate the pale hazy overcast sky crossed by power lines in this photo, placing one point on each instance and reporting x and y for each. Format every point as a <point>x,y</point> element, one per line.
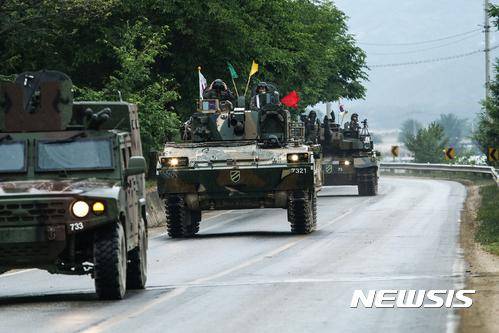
<point>420,91</point>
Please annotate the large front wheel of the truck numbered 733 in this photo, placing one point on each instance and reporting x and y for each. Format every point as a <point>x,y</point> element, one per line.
<point>110,262</point>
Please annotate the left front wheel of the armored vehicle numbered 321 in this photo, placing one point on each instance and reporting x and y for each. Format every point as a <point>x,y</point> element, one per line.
<point>181,221</point>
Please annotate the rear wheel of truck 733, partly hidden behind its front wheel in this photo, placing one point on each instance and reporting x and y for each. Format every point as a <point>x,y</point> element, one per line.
<point>137,261</point>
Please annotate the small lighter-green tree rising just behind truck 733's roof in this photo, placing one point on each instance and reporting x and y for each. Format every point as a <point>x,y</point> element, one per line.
<point>135,79</point>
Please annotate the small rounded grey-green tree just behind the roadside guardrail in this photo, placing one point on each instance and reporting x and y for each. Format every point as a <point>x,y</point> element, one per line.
<point>428,144</point>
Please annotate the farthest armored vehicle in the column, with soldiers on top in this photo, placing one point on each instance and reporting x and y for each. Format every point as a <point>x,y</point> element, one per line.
<point>348,155</point>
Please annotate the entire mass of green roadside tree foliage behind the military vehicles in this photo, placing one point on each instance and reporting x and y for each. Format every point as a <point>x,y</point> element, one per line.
<point>150,49</point>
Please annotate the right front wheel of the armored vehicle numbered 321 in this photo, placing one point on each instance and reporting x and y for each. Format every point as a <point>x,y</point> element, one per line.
<point>302,212</point>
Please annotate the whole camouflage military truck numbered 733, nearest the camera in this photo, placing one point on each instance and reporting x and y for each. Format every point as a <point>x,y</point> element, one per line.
<point>72,188</point>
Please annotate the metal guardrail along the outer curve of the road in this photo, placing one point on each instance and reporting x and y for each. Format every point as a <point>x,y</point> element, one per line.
<point>424,167</point>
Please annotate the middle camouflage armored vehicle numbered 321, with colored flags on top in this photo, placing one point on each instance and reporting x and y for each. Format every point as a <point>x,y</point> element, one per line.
<point>238,158</point>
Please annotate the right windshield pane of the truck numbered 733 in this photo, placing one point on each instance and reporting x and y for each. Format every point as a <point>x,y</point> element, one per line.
<point>80,154</point>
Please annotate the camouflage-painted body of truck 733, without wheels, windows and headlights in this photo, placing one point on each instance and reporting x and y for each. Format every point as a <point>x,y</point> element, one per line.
<point>37,225</point>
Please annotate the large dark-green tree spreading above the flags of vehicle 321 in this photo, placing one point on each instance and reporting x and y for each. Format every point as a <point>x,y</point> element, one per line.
<point>299,44</point>
